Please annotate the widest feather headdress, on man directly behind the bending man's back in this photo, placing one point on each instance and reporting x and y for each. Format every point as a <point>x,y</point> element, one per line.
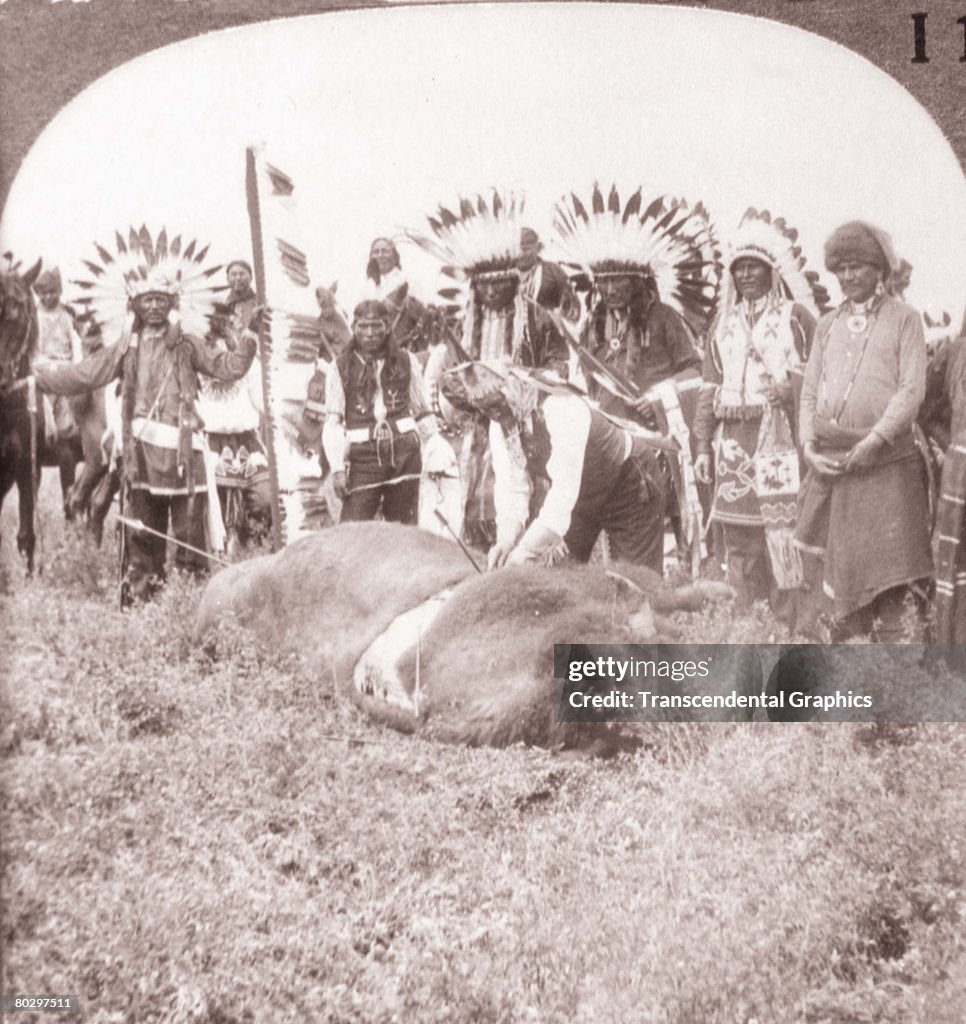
<point>665,241</point>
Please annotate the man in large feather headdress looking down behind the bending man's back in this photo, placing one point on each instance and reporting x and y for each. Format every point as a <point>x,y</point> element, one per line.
<point>636,258</point>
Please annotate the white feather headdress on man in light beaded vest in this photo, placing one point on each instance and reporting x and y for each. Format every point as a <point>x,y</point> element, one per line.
<point>771,240</point>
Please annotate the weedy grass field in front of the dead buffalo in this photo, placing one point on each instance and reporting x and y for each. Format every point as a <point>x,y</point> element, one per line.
<point>227,841</point>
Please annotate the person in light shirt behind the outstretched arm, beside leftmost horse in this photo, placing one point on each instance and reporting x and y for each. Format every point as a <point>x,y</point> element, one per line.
<point>58,342</point>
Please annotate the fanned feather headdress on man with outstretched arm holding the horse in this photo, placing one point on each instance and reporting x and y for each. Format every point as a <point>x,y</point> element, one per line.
<point>142,266</point>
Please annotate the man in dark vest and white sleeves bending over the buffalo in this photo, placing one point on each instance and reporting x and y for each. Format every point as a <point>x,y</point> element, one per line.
<point>564,471</point>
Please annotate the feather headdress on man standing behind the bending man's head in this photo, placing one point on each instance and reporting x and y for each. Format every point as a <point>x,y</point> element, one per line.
<point>482,240</point>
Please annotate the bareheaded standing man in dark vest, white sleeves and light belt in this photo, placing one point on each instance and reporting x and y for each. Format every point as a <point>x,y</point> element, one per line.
<point>375,418</point>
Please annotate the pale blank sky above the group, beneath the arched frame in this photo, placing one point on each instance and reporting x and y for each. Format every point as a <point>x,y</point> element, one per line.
<point>379,115</point>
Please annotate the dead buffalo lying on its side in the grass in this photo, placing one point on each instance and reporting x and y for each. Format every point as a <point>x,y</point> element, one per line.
<point>400,620</point>
